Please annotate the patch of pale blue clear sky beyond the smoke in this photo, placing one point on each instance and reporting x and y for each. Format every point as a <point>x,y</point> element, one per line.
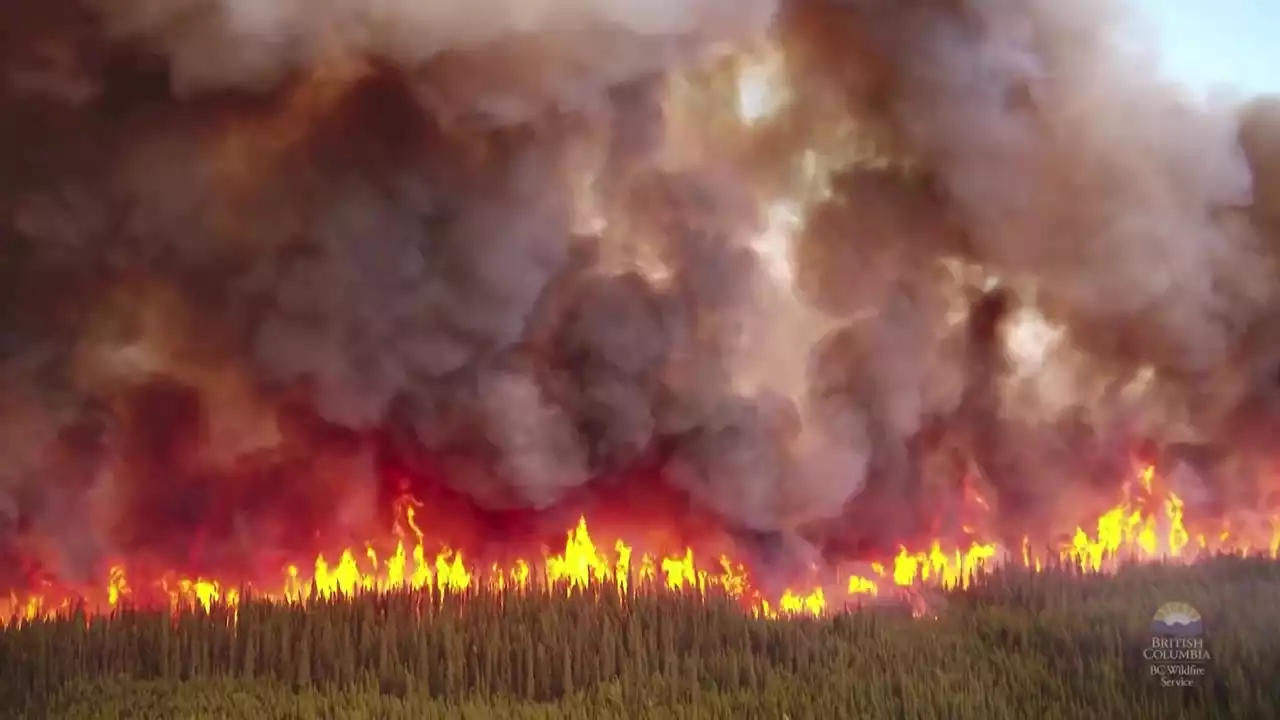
<point>1213,44</point>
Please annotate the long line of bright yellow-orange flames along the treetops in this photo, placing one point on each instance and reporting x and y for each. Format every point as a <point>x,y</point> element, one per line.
<point>1148,525</point>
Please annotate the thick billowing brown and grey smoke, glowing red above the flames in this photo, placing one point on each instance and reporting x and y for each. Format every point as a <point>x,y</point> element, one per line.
<point>269,265</point>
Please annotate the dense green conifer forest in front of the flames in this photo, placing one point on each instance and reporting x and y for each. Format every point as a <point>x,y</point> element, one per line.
<point>1016,645</point>
